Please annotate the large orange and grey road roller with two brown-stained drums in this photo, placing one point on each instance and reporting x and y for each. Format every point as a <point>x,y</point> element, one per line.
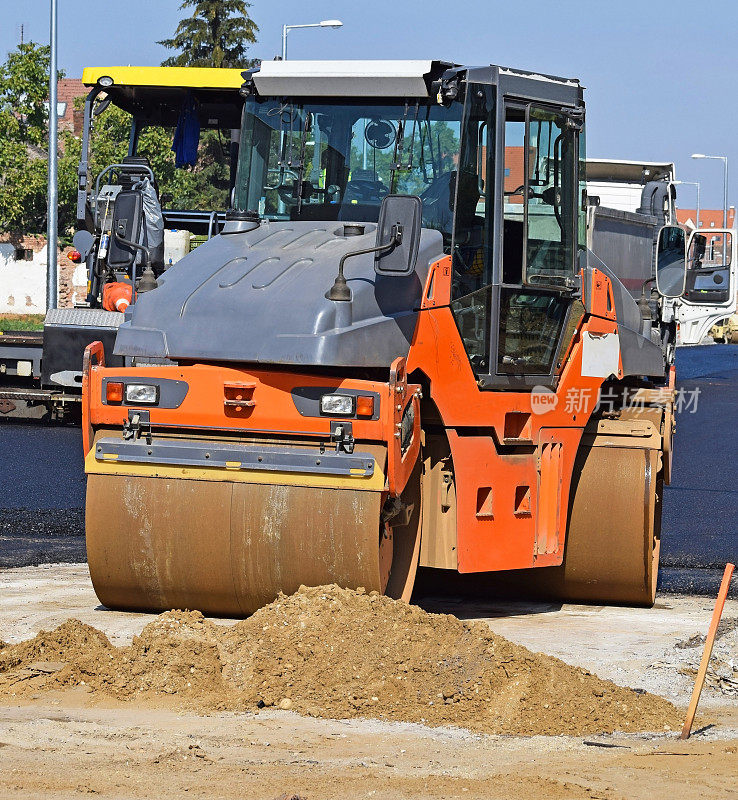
<point>398,352</point>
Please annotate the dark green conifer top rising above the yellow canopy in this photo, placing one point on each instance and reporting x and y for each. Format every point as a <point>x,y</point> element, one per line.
<point>216,35</point>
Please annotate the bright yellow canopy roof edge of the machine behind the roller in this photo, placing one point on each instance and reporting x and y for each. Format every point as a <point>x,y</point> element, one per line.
<point>187,77</point>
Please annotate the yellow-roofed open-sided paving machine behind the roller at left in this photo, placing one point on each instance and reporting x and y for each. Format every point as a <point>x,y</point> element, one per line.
<point>41,371</point>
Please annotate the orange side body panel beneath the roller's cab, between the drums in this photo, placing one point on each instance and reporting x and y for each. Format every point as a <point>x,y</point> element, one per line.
<point>511,501</point>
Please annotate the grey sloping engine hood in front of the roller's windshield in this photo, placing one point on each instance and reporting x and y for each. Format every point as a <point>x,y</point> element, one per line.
<point>259,297</point>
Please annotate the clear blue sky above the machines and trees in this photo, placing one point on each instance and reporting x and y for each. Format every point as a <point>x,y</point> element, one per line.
<point>659,86</point>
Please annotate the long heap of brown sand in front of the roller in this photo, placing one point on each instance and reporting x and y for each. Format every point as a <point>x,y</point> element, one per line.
<point>335,653</point>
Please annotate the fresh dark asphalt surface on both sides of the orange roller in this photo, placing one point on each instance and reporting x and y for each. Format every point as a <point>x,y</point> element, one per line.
<point>42,482</point>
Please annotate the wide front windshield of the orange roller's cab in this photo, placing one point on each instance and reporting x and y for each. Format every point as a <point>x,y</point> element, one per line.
<point>338,161</point>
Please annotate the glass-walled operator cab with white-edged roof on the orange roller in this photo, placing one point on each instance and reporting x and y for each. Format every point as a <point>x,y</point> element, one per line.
<point>328,141</point>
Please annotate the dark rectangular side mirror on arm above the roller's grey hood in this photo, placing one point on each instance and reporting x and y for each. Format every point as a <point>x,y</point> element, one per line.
<point>398,234</point>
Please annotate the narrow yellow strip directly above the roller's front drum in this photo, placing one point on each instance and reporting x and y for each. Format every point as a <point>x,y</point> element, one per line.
<point>372,483</point>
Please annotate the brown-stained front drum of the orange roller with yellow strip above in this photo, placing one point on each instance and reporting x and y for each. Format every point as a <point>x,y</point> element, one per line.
<point>226,542</point>
